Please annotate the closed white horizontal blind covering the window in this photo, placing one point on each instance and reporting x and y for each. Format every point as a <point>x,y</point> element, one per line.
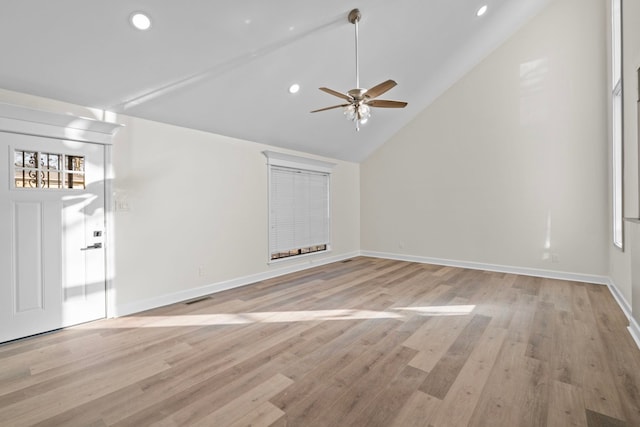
<point>299,209</point>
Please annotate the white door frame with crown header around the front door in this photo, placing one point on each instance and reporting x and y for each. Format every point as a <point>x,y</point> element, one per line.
<point>28,121</point>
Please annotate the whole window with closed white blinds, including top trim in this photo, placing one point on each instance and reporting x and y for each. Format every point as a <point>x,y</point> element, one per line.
<point>299,214</point>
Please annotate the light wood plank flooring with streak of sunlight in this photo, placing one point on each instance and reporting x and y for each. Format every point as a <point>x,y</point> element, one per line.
<point>368,342</point>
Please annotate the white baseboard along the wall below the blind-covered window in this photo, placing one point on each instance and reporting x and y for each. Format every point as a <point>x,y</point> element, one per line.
<point>188,294</point>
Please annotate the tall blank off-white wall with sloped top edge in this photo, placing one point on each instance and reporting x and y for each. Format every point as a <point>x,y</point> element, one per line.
<point>508,167</point>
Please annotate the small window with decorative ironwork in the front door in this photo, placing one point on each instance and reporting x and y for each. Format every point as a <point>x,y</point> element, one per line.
<point>33,169</point>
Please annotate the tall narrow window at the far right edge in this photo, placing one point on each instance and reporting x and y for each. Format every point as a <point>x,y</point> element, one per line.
<point>616,115</point>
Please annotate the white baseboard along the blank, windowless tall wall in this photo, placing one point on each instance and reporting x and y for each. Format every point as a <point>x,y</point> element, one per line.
<point>549,274</point>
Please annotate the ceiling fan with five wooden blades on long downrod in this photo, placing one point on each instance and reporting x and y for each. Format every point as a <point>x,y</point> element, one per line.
<point>359,101</point>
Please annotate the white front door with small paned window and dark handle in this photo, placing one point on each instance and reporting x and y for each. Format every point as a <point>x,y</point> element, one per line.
<point>52,259</point>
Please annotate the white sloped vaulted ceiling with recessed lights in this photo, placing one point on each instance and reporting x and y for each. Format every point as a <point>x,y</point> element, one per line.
<point>225,67</point>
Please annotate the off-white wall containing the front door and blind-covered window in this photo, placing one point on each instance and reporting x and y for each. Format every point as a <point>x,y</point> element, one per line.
<point>193,211</point>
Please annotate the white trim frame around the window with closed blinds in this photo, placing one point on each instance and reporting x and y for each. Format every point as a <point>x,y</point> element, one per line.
<point>281,160</point>
